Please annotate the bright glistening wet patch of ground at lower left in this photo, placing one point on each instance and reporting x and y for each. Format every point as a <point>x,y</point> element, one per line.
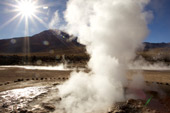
<point>12,100</point>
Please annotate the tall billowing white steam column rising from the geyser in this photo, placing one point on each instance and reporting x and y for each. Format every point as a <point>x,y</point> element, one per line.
<point>112,30</point>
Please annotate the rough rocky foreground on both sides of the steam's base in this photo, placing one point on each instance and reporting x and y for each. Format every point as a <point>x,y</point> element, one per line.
<point>44,99</point>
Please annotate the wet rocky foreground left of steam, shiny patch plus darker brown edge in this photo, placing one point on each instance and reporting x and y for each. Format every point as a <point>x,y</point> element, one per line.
<point>28,100</point>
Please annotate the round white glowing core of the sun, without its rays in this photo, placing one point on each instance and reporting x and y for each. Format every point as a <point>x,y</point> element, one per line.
<point>26,8</point>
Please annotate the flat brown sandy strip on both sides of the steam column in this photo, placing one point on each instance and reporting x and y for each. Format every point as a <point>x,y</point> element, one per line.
<point>14,74</point>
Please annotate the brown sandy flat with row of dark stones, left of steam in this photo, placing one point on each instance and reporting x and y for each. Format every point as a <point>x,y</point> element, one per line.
<point>13,77</point>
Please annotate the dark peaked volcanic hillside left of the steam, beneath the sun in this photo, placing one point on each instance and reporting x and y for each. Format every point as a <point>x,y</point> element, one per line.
<point>46,41</point>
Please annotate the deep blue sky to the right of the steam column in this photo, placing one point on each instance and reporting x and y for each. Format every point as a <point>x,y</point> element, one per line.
<point>160,25</point>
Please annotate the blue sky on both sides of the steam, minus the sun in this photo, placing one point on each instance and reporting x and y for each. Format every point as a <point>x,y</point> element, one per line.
<point>52,10</point>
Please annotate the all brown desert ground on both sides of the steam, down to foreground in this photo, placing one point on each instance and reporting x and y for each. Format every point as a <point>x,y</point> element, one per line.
<point>45,82</point>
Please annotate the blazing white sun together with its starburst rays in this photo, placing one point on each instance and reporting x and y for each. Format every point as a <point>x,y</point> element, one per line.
<point>27,12</point>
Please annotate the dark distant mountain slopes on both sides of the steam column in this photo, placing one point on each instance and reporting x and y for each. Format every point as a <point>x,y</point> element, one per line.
<point>53,42</point>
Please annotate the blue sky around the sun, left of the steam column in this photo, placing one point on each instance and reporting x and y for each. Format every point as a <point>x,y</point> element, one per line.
<point>13,29</point>
